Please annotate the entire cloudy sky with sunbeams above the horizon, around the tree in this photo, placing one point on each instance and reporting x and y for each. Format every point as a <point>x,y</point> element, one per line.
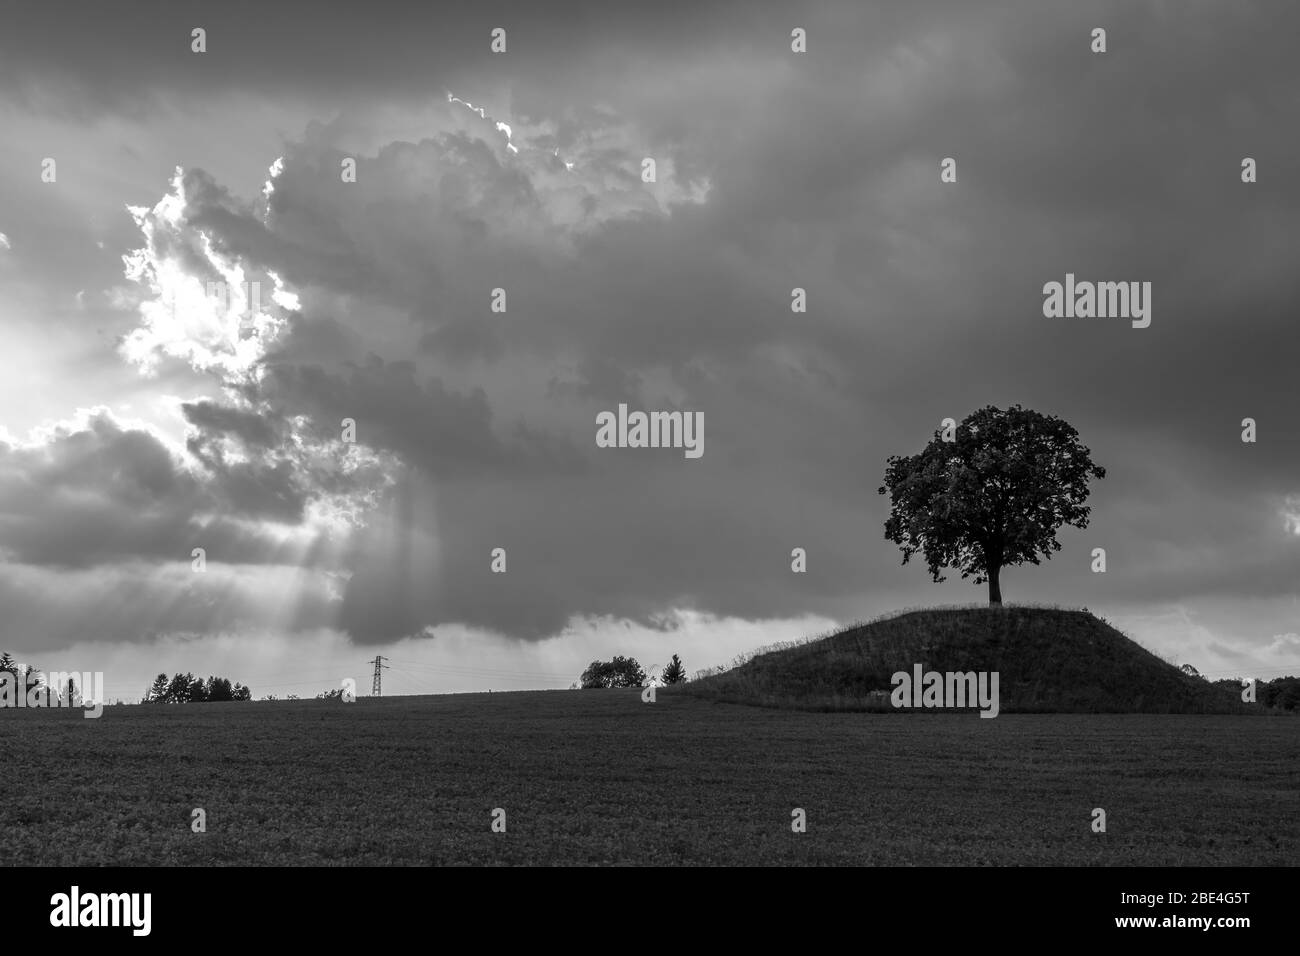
<point>144,418</point>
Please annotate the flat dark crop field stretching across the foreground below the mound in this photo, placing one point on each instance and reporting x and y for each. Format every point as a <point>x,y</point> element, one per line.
<point>597,777</point>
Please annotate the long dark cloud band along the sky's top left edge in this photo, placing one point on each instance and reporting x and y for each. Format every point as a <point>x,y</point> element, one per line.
<point>116,58</point>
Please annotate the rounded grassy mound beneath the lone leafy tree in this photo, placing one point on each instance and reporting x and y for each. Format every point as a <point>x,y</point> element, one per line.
<point>1048,661</point>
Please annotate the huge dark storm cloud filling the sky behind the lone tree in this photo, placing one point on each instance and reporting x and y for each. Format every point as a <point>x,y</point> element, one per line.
<point>925,300</point>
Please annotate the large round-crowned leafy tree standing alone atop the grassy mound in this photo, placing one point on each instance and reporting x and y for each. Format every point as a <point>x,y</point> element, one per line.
<point>990,494</point>
